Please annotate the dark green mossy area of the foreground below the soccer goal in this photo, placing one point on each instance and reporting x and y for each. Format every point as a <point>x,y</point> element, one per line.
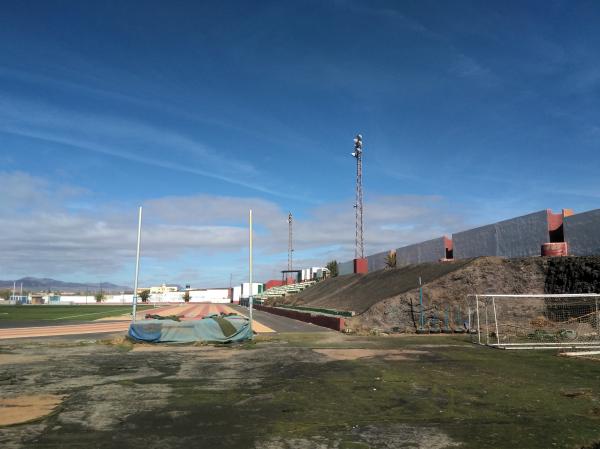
<point>481,397</point>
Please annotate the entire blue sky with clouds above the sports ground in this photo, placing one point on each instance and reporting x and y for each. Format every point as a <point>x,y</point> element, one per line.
<point>471,112</point>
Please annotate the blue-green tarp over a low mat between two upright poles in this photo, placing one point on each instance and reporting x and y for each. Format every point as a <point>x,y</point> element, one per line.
<point>213,329</point>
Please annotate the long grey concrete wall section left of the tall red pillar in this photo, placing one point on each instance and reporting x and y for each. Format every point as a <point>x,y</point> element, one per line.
<point>518,237</point>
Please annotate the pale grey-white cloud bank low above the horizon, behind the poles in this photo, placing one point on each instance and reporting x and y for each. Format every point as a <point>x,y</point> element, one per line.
<point>185,234</point>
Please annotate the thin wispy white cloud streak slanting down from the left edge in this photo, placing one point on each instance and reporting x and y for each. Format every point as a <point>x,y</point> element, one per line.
<point>105,136</point>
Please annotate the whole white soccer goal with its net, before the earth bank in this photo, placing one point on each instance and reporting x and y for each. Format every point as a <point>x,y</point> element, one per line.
<point>544,321</point>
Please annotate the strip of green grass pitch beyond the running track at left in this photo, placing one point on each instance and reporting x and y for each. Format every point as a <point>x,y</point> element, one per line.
<point>51,312</point>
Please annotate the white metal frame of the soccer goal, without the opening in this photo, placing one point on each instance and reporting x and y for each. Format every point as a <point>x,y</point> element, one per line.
<point>485,329</point>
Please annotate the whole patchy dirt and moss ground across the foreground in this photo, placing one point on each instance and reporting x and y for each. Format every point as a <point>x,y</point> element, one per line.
<point>296,391</point>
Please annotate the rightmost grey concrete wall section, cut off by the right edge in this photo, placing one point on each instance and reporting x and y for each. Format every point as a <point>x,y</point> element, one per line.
<point>582,233</point>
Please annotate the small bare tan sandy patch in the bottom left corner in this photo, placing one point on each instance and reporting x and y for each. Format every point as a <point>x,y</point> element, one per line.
<point>22,409</point>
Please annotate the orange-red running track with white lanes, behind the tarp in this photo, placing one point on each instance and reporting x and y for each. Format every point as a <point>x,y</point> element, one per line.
<point>121,324</point>
